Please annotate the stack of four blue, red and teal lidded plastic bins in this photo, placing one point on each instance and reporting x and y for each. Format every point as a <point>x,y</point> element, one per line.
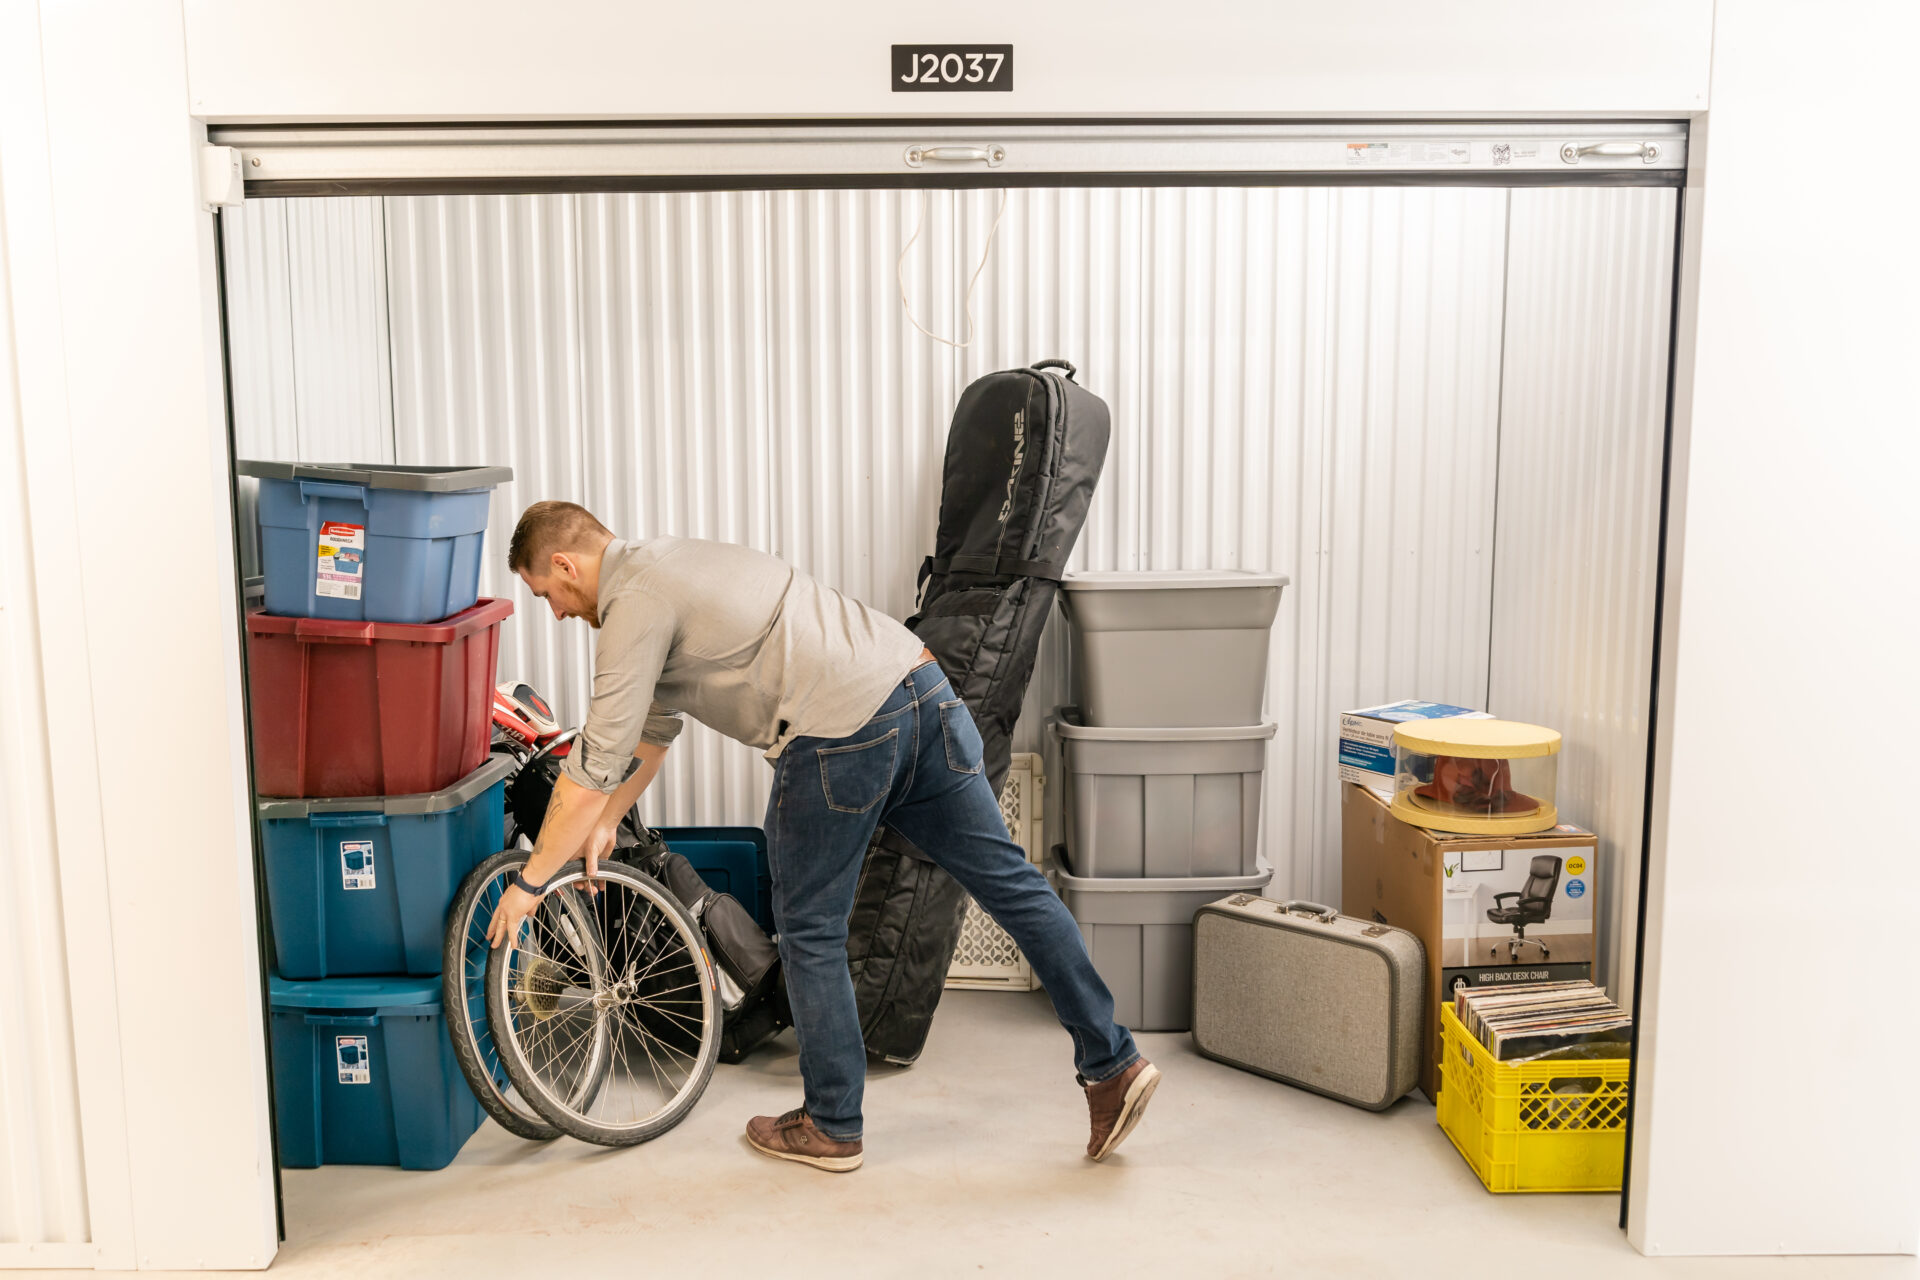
<point>372,682</point>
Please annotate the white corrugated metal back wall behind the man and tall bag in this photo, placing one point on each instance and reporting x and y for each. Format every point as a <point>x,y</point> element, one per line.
<point>1305,381</point>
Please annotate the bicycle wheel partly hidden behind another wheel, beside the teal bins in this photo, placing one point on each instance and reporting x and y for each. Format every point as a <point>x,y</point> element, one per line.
<point>464,991</point>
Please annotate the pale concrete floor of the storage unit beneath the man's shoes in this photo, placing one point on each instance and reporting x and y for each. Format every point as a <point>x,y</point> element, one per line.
<point>974,1168</point>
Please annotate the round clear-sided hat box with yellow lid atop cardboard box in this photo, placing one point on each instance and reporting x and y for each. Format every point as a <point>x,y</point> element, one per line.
<point>1476,776</point>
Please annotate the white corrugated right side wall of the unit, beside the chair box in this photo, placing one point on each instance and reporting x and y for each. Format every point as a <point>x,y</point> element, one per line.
<point>1583,427</point>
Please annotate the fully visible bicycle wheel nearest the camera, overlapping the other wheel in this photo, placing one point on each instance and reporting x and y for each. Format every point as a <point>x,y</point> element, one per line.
<point>635,999</point>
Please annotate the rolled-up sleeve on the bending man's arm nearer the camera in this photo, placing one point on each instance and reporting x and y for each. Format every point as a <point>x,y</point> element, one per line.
<point>629,655</point>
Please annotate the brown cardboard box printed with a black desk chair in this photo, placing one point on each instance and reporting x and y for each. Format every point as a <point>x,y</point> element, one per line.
<point>1439,888</point>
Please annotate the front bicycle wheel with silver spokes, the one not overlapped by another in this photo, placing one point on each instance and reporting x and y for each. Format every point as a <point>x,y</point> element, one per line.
<point>633,1001</point>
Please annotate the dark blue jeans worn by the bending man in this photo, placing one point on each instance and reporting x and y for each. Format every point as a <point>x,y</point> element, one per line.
<point>917,769</point>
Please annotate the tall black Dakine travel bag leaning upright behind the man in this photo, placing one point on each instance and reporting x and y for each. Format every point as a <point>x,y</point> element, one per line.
<point>1022,460</point>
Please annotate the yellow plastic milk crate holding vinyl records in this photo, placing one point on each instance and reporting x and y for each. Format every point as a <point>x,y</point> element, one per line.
<point>1533,1127</point>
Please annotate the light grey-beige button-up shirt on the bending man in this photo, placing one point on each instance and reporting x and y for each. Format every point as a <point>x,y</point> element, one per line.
<point>734,638</point>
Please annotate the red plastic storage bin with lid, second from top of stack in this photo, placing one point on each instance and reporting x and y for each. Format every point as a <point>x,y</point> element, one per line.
<point>372,709</point>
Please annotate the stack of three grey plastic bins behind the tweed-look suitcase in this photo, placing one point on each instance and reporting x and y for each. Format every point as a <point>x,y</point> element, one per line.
<point>1164,765</point>
